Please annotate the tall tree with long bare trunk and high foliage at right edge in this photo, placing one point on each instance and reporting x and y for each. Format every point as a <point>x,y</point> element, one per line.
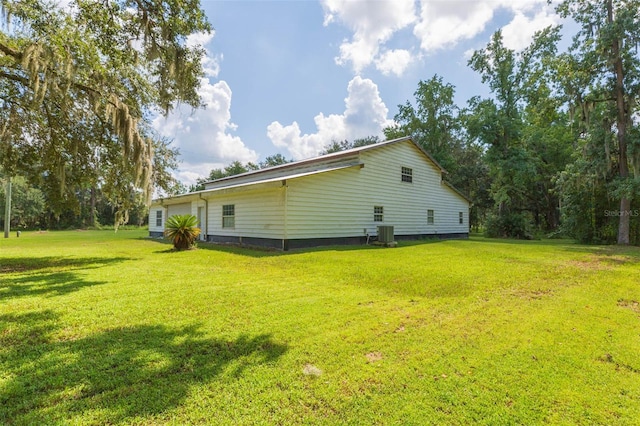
<point>605,59</point>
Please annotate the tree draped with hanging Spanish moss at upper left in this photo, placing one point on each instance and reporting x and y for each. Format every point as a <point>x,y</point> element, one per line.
<point>83,79</point>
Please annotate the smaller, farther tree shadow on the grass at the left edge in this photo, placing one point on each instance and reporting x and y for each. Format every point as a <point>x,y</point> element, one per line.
<point>43,277</point>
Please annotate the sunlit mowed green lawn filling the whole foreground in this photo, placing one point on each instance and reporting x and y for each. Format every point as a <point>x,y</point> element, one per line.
<point>113,328</point>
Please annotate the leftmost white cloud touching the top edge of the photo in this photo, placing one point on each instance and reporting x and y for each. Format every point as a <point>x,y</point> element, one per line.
<point>373,24</point>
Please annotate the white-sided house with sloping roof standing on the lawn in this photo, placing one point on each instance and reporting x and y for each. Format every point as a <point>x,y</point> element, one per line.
<point>338,198</point>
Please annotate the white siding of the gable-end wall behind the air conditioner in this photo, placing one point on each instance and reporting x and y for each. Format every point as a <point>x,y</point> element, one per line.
<point>341,203</point>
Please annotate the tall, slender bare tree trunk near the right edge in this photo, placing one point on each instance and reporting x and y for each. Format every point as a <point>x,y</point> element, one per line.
<point>621,123</point>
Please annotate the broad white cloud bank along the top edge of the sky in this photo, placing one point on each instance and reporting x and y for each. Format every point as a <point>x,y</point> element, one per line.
<point>436,25</point>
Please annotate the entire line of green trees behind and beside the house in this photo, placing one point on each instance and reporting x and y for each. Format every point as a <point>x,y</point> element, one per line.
<point>554,149</point>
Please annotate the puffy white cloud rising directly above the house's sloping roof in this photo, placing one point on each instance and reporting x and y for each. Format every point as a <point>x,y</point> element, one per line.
<point>365,115</point>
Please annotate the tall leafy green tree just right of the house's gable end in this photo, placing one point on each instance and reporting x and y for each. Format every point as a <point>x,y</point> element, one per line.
<point>512,126</point>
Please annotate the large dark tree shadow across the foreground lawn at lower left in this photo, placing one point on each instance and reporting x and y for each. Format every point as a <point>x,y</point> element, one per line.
<point>114,375</point>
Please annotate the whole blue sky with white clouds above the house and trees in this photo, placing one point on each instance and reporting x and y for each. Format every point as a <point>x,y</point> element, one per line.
<point>289,77</point>
